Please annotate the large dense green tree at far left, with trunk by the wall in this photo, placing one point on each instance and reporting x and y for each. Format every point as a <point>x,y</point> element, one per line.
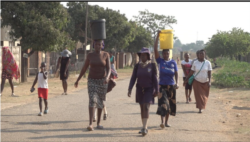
<point>40,25</point>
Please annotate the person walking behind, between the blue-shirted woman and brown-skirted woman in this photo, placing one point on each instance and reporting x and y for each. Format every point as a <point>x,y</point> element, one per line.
<point>186,67</point>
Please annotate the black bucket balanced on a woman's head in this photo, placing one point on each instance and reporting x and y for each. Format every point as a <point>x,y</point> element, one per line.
<point>98,29</point>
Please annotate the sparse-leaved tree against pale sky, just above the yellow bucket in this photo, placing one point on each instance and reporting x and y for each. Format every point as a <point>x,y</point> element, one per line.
<point>154,22</point>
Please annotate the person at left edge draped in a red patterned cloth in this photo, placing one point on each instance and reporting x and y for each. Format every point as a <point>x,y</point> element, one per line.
<point>10,69</point>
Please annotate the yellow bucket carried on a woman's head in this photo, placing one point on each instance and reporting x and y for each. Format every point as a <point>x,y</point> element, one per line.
<point>166,39</point>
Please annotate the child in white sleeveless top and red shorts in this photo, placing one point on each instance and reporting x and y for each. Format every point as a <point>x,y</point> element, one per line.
<point>42,79</point>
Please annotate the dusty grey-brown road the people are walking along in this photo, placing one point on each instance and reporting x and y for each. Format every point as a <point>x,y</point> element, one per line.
<point>68,118</point>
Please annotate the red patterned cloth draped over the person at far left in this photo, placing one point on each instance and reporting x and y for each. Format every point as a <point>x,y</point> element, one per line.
<point>9,63</point>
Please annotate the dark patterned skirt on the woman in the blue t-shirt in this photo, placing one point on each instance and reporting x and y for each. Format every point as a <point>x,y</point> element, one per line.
<point>167,101</point>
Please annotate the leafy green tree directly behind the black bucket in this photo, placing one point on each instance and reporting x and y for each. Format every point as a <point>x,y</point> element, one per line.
<point>119,32</point>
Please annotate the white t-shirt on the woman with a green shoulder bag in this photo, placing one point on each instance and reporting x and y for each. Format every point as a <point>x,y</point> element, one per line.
<point>203,75</point>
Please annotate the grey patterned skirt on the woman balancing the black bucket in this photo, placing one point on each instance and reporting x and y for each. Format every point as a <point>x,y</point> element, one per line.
<point>97,92</point>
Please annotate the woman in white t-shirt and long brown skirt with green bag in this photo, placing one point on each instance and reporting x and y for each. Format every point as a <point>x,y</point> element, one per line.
<point>202,80</point>
